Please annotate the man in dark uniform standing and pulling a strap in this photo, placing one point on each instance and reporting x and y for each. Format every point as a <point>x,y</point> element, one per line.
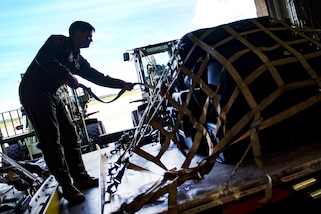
<point>56,63</point>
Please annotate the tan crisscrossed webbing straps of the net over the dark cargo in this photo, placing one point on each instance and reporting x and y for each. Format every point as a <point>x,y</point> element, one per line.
<point>173,178</point>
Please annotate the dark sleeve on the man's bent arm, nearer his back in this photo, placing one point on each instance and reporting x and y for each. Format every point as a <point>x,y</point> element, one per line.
<point>47,57</point>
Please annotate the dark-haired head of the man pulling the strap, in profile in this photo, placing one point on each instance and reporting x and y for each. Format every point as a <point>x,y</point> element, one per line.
<point>81,33</point>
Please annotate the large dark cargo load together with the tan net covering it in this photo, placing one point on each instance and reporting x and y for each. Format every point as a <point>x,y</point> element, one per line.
<point>228,90</point>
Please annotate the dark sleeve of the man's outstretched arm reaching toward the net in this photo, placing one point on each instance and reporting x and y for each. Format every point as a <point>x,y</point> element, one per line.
<point>96,77</point>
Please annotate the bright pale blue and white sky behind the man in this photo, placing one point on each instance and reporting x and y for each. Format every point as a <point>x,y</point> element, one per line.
<point>120,25</point>
